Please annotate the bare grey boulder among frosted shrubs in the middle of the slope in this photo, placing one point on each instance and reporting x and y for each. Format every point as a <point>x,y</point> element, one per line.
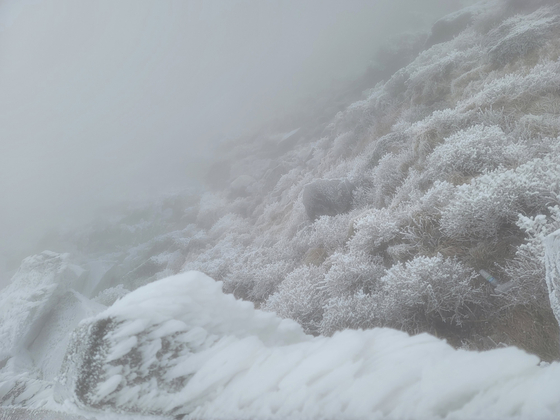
<point>327,197</point>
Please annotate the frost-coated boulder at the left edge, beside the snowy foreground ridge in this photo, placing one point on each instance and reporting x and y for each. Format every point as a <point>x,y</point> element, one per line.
<point>38,310</point>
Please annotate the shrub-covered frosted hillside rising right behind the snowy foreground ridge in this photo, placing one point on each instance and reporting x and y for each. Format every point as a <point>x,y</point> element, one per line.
<point>385,215</point>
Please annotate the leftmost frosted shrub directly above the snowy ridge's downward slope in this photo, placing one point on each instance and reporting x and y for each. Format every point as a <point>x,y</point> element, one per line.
<point>300,297</point>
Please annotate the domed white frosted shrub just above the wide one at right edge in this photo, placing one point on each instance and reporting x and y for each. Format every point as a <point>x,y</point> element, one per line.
<point>472,151</point>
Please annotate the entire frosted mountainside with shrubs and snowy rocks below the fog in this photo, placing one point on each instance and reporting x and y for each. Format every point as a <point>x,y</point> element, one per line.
<point>357,235</point>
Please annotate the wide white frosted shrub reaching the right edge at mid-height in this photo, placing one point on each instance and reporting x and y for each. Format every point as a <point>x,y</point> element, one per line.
<point>493,200</point>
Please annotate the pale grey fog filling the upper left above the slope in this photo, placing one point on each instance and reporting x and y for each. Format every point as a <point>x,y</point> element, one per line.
<point>105,100</point>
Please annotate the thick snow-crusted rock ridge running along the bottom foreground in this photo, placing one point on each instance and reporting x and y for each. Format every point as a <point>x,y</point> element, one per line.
<point>182,346</point>
